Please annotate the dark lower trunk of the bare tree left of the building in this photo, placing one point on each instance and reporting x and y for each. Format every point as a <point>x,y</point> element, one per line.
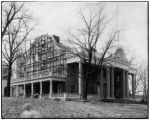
<point>8,80</point>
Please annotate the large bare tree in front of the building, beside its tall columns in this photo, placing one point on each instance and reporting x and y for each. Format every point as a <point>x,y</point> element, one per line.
<point>85,41</point>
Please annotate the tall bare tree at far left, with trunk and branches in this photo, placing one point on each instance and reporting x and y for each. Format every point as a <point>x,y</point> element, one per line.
<point>16,28</point>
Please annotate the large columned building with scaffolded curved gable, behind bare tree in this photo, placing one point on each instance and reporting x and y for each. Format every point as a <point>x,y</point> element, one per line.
<point>49,70</point>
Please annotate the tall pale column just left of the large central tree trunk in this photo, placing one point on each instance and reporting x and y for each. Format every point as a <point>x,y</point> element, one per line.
<point>80,79</point>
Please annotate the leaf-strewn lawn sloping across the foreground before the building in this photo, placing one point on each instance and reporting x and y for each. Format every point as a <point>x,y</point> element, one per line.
<point>11,108</point>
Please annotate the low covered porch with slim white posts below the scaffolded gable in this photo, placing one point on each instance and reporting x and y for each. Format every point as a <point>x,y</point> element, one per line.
<point>49,88</point>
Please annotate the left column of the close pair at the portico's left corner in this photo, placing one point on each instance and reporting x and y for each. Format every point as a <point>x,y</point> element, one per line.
<point>108,82</point>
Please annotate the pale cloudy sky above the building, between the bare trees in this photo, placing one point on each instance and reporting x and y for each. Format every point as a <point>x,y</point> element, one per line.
<point>60,17</point>
